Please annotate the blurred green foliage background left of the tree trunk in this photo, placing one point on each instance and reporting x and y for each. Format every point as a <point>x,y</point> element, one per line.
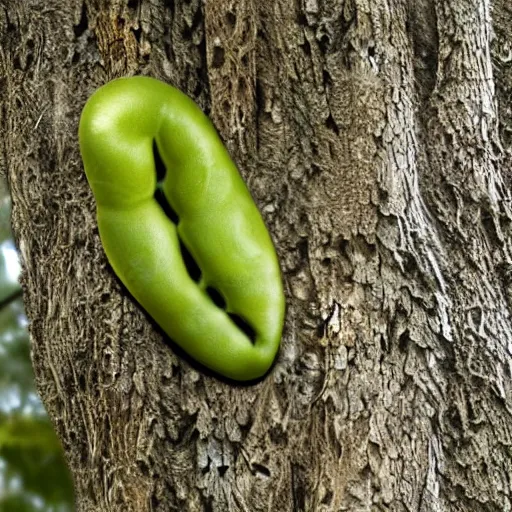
<point>33,474</point>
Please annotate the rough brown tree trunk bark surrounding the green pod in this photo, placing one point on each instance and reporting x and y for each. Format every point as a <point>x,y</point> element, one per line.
<point>376,138</point>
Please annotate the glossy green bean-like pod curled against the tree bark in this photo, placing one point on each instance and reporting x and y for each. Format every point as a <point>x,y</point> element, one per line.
<point>218,223</point>
